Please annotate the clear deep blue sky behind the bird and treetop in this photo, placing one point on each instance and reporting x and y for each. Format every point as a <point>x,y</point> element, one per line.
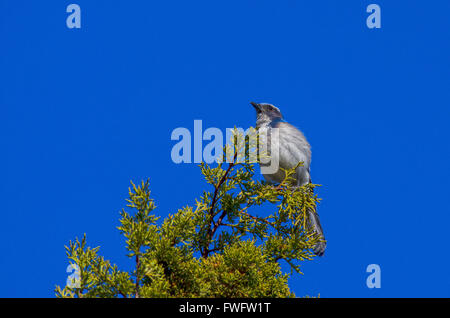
<point>85,111</point>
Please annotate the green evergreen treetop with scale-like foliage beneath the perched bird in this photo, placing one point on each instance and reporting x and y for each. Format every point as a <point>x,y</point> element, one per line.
<point>230,244</point>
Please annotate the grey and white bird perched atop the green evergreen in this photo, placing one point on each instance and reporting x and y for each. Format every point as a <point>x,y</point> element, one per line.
<point>292,149</point>
